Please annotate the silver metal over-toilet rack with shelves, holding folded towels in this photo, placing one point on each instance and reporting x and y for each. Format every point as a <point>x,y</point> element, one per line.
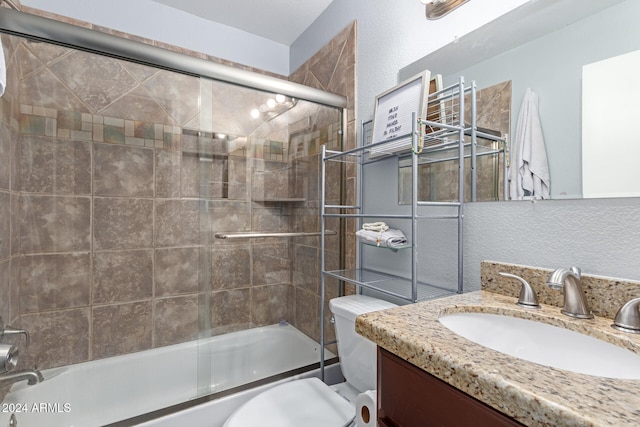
<point>395,274</point>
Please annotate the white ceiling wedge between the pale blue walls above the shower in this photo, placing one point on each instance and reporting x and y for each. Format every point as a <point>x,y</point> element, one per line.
<point>281,21</point>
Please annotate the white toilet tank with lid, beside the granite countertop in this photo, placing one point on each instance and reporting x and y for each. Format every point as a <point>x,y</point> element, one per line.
<point>357,354</point>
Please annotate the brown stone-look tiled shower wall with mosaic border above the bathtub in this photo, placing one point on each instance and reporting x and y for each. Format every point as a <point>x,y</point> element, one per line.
<point>104,240</point>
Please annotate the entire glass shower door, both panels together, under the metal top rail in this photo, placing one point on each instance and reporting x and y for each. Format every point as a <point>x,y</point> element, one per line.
<point>116,177</point>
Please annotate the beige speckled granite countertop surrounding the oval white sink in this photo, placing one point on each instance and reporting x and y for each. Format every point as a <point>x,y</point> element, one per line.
<point>533,394</point>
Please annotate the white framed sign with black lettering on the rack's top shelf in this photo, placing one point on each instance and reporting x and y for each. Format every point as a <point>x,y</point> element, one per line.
<point>393,111</point>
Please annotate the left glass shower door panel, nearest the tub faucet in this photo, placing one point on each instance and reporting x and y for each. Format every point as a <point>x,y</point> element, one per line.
<point>108,230</point>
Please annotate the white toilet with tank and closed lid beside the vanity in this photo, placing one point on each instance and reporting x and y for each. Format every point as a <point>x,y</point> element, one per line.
<point>310,402</point>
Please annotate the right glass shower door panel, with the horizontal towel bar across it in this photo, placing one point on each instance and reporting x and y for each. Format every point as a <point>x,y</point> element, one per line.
<point>264,299</point>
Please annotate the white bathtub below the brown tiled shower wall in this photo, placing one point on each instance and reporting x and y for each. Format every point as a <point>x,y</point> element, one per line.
<point>105,391</point>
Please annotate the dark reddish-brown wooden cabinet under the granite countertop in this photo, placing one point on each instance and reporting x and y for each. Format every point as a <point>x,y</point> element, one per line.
<point>411,397</point>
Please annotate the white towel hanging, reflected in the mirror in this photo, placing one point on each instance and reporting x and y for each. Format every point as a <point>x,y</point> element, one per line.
<point>529,170</point>
